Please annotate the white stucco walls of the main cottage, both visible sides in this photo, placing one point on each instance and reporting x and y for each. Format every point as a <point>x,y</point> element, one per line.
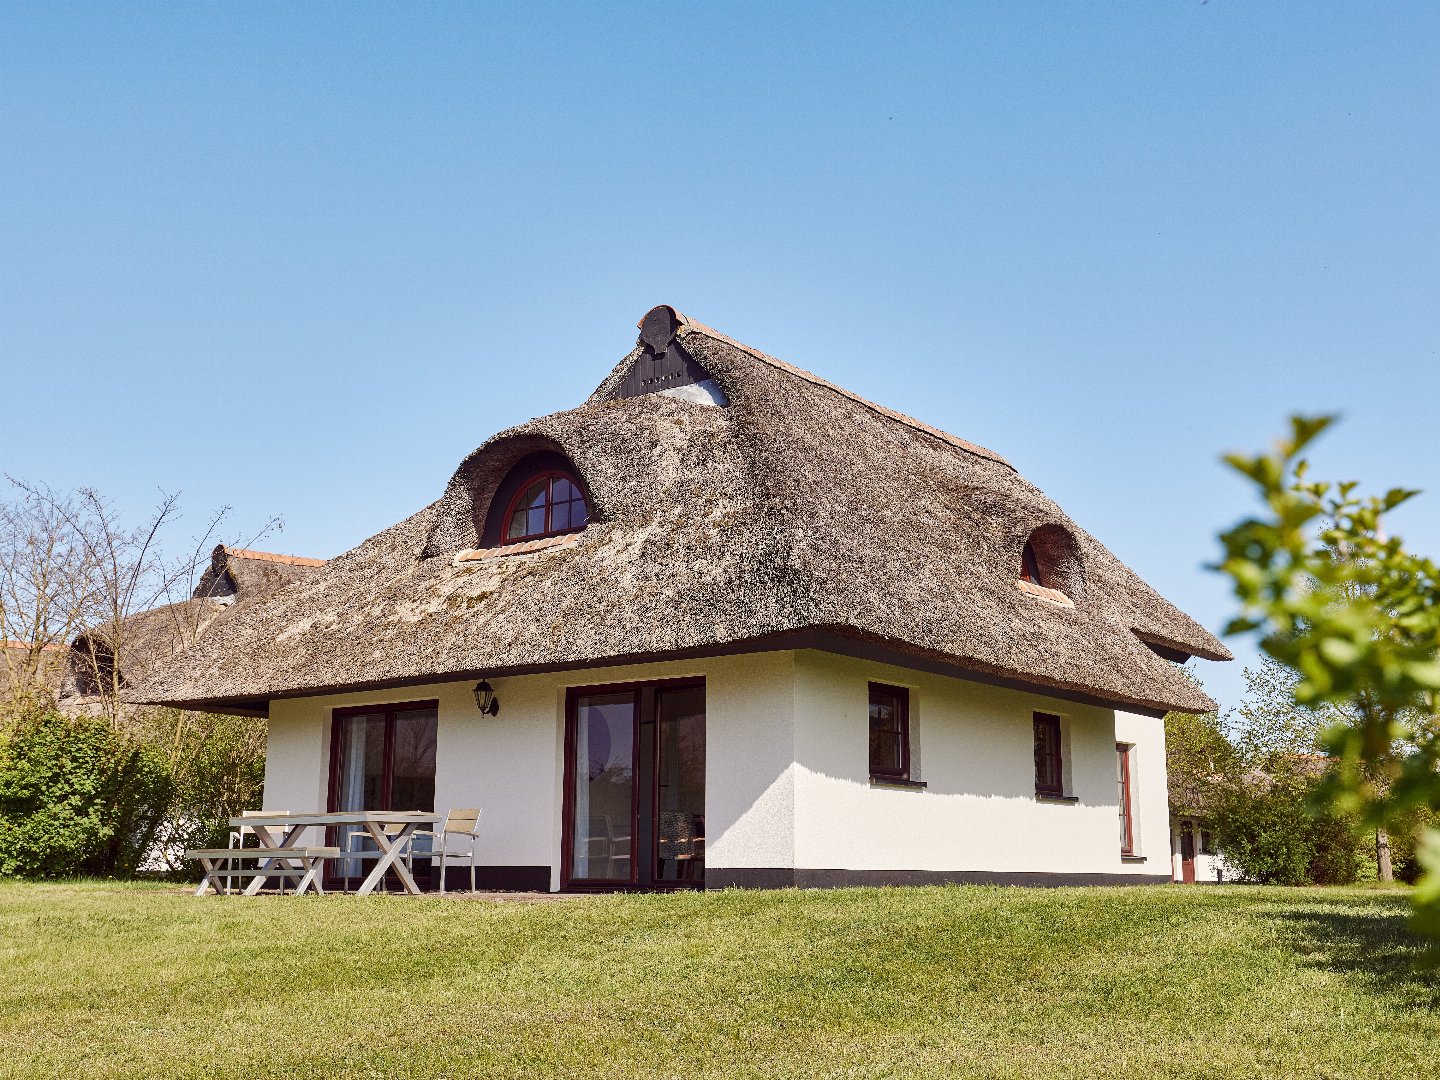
<point>787,770</point>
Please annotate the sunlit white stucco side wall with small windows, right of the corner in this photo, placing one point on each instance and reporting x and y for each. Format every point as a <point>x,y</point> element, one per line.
<point>974,748</point>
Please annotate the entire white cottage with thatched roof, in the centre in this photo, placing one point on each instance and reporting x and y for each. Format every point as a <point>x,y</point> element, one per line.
<point>741,627</point>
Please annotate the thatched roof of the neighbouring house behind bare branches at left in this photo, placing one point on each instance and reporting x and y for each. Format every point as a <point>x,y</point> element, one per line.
<point>234,575</point>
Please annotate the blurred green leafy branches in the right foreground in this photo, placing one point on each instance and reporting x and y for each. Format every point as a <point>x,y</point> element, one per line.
<point>1347,607</point>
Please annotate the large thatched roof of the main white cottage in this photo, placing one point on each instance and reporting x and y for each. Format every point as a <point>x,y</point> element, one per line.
<point>793,515</point>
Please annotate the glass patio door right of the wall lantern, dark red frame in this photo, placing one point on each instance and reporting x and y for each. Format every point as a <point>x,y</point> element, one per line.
<point>636,796</point>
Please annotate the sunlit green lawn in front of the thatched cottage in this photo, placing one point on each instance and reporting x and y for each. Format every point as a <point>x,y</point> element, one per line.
<point>103,980</point>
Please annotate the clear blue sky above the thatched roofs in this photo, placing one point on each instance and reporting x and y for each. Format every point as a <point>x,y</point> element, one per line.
<point>300,260</point>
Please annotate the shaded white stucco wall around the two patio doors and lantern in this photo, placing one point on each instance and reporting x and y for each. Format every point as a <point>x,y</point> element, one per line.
<point>512,767</point>
